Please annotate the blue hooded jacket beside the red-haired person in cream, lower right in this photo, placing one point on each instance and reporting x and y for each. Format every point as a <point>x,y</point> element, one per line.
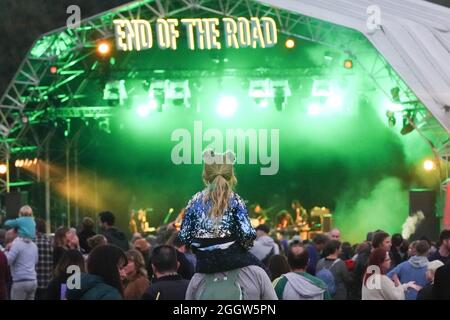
<point>412,270</point>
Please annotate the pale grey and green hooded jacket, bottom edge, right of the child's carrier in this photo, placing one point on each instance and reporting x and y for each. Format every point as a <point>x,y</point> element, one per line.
<point>300,286</point>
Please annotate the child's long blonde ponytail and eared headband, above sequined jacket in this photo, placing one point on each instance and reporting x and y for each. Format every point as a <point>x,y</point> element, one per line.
<point>218,175</point>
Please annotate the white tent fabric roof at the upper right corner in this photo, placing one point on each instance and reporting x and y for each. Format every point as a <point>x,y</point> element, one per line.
<point>414,38</point>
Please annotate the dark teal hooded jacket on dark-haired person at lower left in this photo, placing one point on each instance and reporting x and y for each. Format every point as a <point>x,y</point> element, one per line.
<point>93,287</point>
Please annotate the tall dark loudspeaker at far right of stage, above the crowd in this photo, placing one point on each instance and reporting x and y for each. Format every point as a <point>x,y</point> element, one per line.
<point>425,201</point>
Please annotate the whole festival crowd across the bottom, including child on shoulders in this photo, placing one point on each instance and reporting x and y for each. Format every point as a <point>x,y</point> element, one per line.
<point>216,254</point>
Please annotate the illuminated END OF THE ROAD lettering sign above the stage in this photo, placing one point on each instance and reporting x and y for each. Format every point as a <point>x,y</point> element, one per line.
<point>202,34</point>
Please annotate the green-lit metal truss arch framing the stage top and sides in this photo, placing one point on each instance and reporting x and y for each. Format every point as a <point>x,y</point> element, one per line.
<point>34,94</point>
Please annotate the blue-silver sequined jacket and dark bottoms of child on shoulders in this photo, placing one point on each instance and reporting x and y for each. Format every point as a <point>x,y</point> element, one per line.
<point>219,245</point>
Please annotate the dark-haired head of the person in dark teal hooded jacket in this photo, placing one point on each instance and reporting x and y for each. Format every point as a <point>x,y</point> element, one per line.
<point>106,262</point>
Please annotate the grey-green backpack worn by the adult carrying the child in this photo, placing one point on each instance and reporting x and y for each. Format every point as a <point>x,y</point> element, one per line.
<point>222,287</point>
